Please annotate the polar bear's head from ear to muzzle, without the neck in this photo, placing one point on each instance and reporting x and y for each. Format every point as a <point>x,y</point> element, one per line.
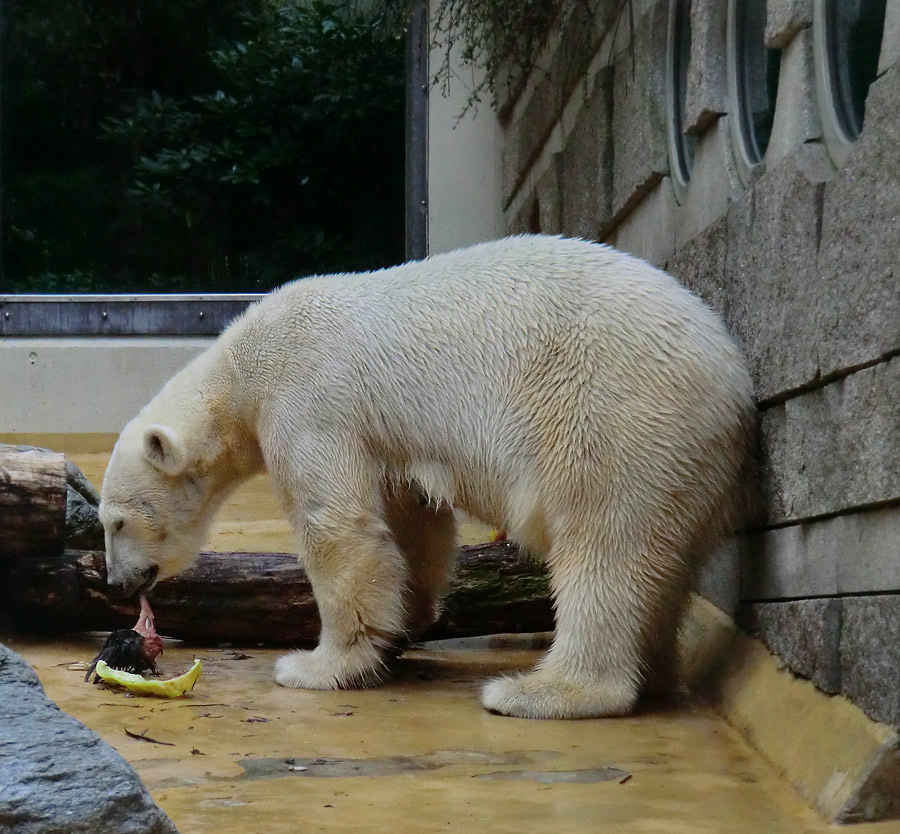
<point>155,506</point>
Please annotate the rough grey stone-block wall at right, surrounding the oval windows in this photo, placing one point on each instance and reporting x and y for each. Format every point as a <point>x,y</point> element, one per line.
<point>798,253</point>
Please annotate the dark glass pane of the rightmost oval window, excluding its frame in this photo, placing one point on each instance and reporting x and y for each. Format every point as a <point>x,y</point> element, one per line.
<point>853,31</point>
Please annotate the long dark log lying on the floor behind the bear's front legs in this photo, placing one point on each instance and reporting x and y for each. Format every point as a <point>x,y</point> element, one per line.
<point>249,599</point>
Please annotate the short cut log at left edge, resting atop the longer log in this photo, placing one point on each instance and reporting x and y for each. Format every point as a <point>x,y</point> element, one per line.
<point>32,501</point>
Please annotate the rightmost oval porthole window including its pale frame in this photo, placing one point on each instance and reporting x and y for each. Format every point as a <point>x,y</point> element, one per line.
<point>848,36</point>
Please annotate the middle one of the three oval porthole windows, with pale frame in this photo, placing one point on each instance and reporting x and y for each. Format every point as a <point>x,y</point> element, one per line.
<point>753,74</point>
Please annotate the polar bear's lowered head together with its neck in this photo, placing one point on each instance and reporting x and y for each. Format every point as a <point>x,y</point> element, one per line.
<point>170,470</point>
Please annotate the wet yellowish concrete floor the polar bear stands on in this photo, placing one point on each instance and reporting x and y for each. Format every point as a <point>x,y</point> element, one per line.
<point>240,754</point>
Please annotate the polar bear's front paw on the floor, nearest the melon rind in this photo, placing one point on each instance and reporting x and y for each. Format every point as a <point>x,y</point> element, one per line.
<point>325,669</point>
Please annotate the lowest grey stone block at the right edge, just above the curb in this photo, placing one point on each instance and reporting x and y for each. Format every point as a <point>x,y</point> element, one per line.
<point>870,655</point>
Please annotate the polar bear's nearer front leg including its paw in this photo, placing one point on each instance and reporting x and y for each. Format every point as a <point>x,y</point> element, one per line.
<point>357,575</point>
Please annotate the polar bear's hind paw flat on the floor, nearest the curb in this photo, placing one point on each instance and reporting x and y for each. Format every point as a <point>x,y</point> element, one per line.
<point>541,694</point>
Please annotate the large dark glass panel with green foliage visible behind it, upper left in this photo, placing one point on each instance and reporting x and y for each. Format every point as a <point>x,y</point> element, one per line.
<point>198,145</point>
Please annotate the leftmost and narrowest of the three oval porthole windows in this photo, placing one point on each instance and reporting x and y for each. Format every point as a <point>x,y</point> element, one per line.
<point>678,54</point>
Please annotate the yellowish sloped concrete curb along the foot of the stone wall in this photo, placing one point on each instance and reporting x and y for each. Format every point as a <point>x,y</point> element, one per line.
<point>843,763</point>
